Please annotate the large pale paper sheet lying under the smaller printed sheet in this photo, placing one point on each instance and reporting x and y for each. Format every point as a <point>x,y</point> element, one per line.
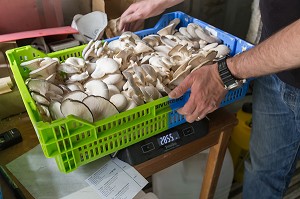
<point>41,177</point>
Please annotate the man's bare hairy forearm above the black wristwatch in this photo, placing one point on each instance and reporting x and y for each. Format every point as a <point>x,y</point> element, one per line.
<point>279,52</point>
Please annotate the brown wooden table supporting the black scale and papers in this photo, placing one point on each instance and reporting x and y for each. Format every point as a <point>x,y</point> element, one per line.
<point>220,128</point>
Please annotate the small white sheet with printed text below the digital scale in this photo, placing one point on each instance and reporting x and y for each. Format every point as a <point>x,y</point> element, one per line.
<point>117,180</point>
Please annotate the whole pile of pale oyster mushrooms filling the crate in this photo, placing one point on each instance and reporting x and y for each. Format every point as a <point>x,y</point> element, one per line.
<point>117,76</point>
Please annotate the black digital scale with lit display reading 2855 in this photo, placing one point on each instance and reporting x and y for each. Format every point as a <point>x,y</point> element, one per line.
<point>163,142</point>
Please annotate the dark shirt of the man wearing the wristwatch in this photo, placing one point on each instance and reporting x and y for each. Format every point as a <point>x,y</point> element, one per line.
<point>275,15</point>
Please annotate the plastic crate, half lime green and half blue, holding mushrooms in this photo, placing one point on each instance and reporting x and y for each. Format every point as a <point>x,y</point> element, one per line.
<point>74,142</point>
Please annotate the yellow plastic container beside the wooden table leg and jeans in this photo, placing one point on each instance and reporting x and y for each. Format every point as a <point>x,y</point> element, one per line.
<point>239,143</point>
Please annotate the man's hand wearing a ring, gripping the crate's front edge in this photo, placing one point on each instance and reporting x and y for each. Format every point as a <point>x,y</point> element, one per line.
<point>207,92</point>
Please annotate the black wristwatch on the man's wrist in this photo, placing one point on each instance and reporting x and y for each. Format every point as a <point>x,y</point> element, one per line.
<point>229,81</point>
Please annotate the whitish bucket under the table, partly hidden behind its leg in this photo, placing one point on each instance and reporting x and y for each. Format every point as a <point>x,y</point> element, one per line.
<point>184,179</point>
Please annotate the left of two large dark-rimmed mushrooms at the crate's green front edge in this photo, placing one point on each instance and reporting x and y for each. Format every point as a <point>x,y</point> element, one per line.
<point>76,108</point>
